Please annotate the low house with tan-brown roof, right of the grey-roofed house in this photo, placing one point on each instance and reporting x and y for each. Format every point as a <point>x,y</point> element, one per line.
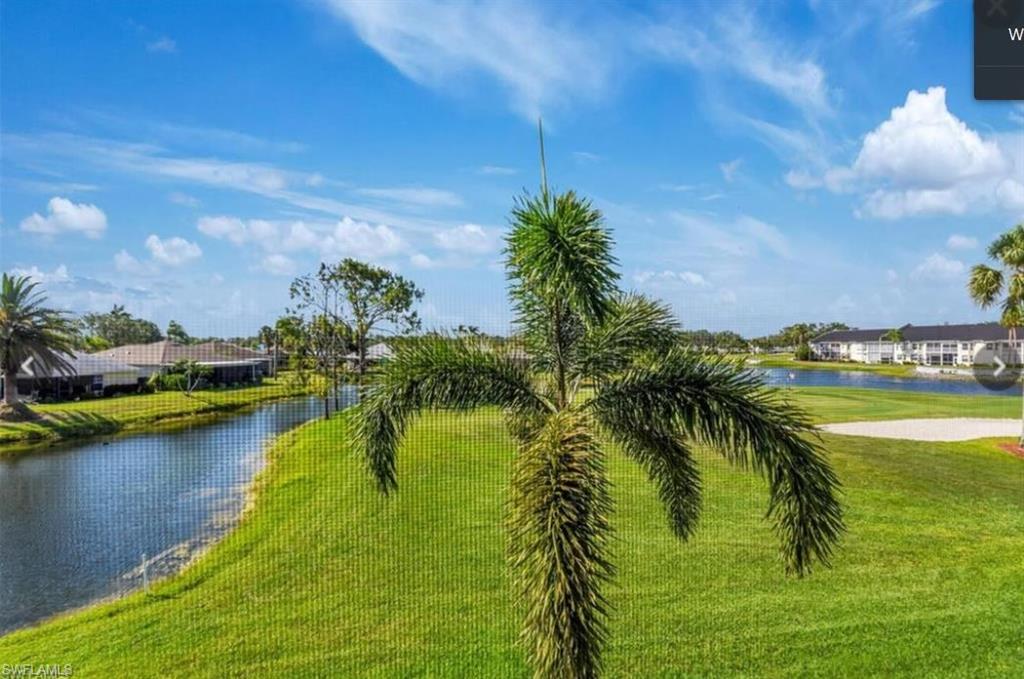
<point>231,364</point>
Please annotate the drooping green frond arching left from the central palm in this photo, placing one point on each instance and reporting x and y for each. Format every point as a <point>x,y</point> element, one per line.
<point>436,373</point>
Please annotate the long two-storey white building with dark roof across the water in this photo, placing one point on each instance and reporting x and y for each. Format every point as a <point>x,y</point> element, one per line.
<point>925,346</point>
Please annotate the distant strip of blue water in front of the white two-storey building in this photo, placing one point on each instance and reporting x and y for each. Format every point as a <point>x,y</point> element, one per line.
<point>783,377</point>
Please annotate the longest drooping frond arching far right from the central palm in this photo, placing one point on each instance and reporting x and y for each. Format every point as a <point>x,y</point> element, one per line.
<point>718,403</point>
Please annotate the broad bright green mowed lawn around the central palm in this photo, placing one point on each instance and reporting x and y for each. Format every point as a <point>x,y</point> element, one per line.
<point>325,578</point>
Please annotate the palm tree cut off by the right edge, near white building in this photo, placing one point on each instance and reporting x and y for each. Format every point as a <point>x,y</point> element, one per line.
<point>1005,285</point>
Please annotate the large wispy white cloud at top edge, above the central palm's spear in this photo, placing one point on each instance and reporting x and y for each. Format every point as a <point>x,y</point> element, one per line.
<point>542,63</point>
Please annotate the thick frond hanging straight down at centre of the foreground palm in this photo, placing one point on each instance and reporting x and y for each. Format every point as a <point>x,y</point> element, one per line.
<point>559,536</point>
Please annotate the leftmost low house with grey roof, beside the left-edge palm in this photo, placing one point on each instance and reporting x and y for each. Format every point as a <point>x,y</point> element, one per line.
<point>91,375</point>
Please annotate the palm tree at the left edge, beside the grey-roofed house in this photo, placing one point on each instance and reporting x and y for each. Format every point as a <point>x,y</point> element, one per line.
<point>30,333</point>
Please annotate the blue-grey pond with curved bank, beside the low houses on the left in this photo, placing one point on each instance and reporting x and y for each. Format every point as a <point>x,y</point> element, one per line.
<point>77,520</point>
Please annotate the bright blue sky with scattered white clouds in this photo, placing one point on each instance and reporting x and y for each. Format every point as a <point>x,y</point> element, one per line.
<point>760,163</point>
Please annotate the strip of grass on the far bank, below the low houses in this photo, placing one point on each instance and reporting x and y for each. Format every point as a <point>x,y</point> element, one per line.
<point>110,415</point>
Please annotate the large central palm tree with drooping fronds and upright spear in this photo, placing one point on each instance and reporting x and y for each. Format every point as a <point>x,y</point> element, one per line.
<point>604,367</point>
